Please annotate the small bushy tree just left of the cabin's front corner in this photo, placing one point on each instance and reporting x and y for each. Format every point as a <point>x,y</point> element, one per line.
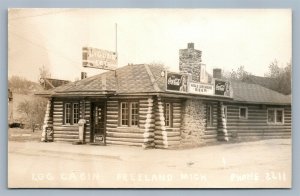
<point>34,111</point>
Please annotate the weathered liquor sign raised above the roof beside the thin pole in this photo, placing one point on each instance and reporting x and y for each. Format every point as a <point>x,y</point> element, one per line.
<point>100,59</point>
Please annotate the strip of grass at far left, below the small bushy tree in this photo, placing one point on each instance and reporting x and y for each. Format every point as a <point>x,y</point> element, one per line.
<point>24,135</point>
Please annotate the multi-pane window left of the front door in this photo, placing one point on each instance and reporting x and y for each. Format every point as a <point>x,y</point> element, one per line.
<point>71,113</point>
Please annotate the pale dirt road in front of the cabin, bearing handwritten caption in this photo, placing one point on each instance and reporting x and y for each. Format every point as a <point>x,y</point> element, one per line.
<point>264,163</point>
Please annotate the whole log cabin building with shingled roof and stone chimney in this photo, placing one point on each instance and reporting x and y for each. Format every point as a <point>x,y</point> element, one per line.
<point>147,106</point>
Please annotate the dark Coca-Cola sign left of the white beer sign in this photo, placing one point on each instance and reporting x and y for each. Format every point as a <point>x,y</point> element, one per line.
<point>176,82</point>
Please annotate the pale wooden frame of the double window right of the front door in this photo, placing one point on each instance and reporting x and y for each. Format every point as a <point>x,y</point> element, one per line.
<point>129,111</point>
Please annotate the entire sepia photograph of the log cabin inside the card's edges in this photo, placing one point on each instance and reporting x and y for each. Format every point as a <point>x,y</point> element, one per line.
<point>149,98</point>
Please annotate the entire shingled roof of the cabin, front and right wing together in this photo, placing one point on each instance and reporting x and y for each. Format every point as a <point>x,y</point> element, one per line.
<point>143,78</point>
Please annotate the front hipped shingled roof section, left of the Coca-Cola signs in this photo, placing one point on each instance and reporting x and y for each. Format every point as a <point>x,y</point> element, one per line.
<point>139,78</point>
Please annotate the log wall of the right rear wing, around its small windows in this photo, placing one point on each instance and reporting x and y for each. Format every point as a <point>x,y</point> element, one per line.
<point>256,125</point>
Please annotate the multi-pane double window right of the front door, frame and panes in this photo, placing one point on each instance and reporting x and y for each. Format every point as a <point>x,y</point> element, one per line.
<point>129,114</point>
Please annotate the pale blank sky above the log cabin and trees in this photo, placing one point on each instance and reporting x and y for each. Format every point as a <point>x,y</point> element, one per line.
<point>228,38</point>
